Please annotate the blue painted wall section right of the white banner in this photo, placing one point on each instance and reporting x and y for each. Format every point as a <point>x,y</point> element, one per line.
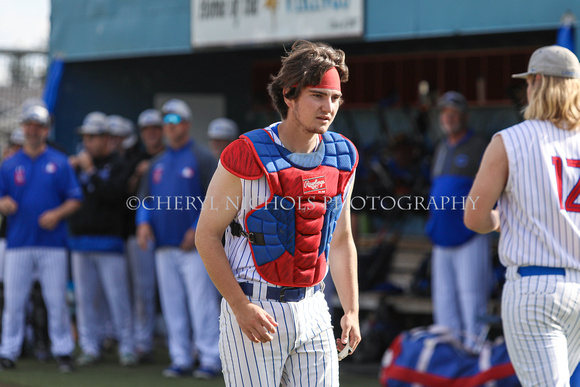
<point>411,19</point>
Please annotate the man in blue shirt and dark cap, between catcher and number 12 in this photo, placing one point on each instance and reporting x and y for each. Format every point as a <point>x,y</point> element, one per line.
<point>461,262</point>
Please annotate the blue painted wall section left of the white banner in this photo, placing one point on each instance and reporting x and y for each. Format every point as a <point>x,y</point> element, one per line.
<point>99,29</point>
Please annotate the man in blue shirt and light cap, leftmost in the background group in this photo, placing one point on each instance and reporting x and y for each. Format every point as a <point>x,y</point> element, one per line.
<point>38,190</point>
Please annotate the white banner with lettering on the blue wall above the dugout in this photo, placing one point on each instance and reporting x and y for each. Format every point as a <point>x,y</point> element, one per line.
<point>246,22</point>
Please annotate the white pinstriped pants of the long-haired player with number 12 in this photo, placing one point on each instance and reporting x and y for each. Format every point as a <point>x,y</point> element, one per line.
<point>541,324</point>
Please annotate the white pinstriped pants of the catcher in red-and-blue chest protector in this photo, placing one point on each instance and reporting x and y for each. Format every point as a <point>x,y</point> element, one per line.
<point>302,353</point>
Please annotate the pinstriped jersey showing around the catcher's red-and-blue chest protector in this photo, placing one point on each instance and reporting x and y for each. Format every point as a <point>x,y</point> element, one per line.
<point>254,193</point>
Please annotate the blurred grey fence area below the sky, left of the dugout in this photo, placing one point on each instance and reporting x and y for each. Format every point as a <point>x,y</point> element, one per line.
<point>22,77</point>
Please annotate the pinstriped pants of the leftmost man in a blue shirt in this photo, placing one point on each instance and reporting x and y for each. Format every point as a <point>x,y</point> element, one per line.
<point>51,267</point>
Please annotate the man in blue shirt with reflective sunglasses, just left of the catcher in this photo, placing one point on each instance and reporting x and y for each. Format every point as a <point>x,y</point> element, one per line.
<point>171,195</point>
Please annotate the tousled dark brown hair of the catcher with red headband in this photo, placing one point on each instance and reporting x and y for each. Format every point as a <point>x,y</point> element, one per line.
<point>304,65</point>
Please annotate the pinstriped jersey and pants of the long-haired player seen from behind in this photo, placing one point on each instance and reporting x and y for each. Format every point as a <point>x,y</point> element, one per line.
<point>540,226</point>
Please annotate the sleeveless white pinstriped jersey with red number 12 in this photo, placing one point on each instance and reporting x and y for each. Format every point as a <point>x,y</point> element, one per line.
<point>540,206</point>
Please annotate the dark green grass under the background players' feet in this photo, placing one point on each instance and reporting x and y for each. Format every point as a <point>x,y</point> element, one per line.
<point>108,373</point>
